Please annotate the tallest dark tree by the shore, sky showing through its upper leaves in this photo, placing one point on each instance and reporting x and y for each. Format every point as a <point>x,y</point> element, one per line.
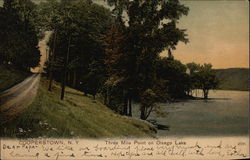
<point>151,28</point>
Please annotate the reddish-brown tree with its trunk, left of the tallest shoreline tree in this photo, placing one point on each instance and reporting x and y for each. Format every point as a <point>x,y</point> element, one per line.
<point>117,61</point>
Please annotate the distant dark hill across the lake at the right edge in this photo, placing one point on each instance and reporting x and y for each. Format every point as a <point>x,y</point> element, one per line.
<point>233,78</point>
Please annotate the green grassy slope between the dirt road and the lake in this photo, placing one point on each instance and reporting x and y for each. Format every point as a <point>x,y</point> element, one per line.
<point>76,116</point>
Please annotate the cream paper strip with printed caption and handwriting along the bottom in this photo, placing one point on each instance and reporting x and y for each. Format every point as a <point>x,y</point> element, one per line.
<point>191,147</point>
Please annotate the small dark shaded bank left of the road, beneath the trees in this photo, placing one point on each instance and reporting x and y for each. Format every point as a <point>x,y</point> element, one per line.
<point>9,76</point>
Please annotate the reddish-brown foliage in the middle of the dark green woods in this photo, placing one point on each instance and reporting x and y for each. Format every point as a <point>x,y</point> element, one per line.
<point>118,64</point>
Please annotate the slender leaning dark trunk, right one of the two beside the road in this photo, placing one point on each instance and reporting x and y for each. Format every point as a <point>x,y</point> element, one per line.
<point>65,70</point>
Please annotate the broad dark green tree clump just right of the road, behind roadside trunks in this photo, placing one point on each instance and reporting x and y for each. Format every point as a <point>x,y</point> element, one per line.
<point>78,27</point>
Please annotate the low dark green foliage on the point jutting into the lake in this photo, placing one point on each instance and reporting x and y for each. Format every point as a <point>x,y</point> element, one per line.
<point>178,80</point>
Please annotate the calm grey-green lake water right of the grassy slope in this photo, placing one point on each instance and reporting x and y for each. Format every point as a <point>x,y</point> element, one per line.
<point>226,114</point>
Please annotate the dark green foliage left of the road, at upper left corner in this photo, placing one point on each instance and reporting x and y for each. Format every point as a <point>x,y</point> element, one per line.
<point>18,35</point>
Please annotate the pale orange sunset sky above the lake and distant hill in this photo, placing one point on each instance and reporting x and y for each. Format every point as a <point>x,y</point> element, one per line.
<point>218,32</point>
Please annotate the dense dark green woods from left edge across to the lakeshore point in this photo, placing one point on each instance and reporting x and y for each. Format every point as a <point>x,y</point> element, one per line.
<point>110,54</point>
